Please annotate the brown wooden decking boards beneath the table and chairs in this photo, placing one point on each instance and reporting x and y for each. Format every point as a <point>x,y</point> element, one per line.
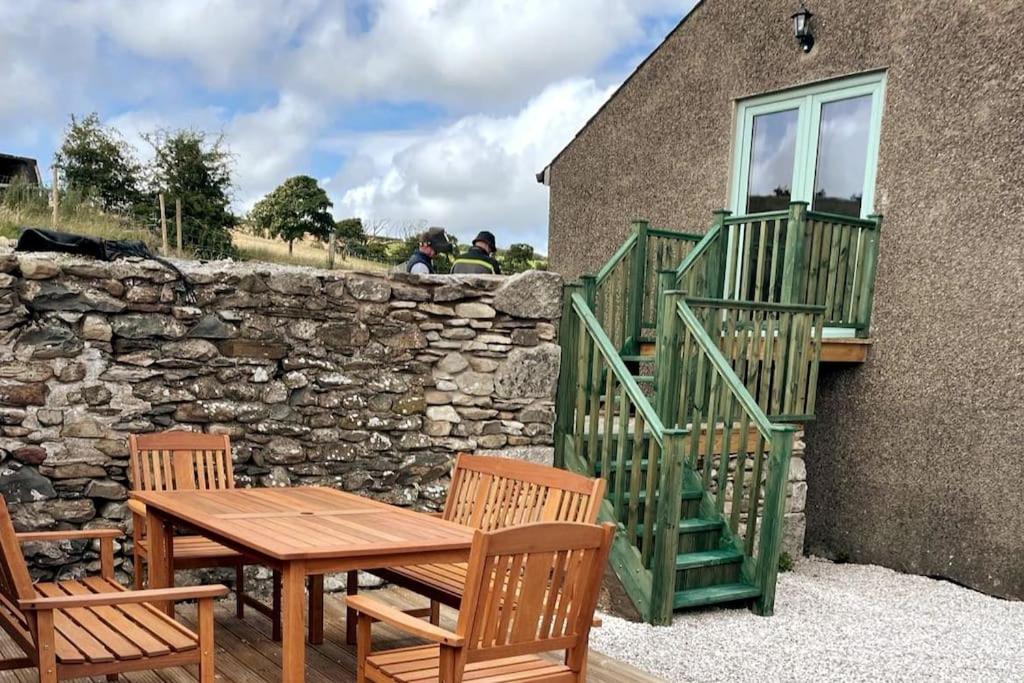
<point>246,654</point>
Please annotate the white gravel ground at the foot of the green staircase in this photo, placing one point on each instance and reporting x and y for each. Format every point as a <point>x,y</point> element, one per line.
<point>835,622</point>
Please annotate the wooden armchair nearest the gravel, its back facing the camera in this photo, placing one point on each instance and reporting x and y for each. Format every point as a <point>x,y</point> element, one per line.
<point>530,590</point>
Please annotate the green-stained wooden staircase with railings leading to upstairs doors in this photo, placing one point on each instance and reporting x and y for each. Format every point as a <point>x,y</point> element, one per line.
<point>688,364</point>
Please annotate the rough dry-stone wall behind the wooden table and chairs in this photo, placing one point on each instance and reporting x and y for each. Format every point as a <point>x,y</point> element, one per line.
<point>366,382</point>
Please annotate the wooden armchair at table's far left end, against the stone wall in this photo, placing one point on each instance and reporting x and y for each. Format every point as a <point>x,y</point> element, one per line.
<point>191,461</point>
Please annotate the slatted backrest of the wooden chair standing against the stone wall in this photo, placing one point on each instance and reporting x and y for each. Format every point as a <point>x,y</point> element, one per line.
<point>182,461</point>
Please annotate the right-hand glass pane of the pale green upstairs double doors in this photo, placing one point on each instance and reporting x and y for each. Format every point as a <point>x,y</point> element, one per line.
<point>839,180</point>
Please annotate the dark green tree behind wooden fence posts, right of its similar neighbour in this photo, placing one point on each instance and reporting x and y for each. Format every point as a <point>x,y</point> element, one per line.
<point>190,167</point>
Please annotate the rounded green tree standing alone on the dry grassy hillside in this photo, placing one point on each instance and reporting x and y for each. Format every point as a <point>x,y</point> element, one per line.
<point>298,207</point>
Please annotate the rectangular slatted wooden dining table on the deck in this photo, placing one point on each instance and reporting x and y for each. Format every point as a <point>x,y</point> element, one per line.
<point>303,532</point>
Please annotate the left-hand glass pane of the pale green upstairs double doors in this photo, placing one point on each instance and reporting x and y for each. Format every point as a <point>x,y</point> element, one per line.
<point>774,145</point>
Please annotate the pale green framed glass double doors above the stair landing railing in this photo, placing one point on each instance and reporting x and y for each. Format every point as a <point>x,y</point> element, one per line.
<point>818,145</point>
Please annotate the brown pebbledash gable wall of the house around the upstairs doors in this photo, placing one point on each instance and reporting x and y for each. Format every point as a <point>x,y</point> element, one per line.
<point>916,460</point>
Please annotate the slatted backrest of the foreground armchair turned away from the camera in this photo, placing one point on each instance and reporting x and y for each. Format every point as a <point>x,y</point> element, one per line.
<point>534,589</point>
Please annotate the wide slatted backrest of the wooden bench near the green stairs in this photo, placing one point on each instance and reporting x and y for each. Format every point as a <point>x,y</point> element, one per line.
<point>490,493</point>
